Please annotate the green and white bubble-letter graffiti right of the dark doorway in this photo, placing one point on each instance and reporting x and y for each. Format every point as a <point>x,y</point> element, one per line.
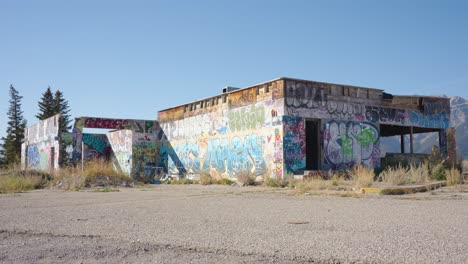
<point>347,143</point>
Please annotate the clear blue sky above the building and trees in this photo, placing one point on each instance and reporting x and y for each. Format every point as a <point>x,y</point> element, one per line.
<point>129,59</point>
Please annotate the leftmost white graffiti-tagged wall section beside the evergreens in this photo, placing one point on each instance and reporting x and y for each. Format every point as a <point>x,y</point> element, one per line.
<point>40,151</point>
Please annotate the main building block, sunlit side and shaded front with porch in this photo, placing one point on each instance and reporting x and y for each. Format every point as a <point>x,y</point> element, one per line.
<point>290,126</point>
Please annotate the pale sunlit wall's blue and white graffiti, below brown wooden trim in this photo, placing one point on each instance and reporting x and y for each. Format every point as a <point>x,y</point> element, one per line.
<point>224,142</point>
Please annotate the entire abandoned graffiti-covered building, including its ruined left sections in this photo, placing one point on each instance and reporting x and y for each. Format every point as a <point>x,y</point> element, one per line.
<point>284,126</point>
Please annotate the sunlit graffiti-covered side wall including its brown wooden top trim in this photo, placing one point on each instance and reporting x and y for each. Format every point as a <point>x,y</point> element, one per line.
<point>231,133</point>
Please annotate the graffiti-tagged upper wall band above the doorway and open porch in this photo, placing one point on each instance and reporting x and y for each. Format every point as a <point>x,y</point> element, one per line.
<point>320,101</point>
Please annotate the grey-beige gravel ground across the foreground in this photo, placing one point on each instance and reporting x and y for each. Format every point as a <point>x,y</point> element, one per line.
<point>224,224</point>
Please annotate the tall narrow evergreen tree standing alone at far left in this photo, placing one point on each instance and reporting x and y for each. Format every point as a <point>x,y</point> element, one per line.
<point>11,146</point>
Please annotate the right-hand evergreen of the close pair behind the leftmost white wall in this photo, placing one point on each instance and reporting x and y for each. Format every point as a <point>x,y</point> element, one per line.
<point>61,107</point>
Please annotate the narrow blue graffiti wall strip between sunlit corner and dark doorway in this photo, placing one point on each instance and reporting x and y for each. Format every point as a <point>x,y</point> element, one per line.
<point>294,144</point>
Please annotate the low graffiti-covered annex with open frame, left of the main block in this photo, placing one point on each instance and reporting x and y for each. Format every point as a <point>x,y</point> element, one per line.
<point>134,148</point>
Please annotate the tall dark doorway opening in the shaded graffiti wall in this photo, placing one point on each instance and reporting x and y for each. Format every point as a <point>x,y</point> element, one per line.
<point>312,144</point>
